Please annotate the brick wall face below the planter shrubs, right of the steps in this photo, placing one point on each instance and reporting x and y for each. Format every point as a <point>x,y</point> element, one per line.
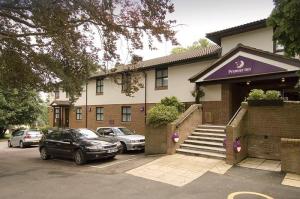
<point>266,125</point>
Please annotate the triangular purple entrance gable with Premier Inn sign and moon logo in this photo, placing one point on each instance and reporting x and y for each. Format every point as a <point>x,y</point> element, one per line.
<point>245,64</point>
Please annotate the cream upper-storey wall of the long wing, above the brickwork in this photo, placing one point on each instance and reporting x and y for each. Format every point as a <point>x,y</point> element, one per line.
<point>178,85</point>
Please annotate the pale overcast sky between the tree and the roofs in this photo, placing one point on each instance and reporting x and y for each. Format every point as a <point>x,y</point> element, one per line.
<point>203,16</point>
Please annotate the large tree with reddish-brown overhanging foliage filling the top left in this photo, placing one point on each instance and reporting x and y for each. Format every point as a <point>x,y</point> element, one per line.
<point>43,42</point>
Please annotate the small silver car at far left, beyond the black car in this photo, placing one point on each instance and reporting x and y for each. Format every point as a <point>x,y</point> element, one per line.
<point>23,138</point>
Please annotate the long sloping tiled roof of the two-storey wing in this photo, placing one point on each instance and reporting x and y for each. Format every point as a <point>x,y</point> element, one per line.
<point>208,52</point>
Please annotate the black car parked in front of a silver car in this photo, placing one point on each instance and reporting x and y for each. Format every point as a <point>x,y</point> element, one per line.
<point>79,144</point>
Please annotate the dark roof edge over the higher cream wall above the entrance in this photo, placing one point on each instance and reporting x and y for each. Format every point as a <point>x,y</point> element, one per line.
<point>216,36</point>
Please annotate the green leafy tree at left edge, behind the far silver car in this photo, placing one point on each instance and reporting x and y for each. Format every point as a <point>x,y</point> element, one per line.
<point>18,107</point>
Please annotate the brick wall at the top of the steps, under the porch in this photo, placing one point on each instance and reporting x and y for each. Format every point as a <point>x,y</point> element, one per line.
<point>219,111</point>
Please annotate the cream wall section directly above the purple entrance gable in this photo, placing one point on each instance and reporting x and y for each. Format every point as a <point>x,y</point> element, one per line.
<point>260,38</point>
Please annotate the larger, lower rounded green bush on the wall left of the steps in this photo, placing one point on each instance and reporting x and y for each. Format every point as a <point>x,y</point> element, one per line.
<point>161,114</point>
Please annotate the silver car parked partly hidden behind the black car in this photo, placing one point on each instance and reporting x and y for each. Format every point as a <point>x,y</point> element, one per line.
<point>129,140</point>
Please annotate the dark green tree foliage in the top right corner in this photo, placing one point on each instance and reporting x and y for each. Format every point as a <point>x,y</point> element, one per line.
<point>285,19</point>
